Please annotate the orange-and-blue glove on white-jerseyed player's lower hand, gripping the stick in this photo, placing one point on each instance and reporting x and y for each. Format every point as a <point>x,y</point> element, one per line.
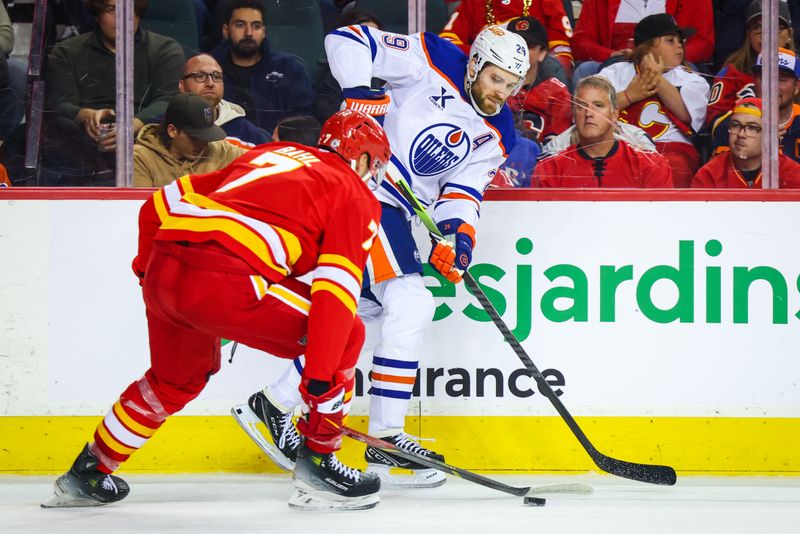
<point>451,255</point>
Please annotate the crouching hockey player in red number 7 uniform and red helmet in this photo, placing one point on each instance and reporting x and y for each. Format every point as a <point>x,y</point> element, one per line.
<point>220,255</point>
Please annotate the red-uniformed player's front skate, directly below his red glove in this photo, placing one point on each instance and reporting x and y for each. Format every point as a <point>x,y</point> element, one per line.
<point>322,482</point>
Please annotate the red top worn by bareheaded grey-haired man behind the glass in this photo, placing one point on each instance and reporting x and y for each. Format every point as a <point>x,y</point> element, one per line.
<point>623,166</point>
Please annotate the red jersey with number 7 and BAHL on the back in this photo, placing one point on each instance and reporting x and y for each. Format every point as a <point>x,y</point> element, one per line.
<point>286,210</point>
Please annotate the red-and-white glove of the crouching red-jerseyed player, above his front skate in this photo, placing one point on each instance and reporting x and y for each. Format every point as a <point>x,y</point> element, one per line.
<point>323,418</point>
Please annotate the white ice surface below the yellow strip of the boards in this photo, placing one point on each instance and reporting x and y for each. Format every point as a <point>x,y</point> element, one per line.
<point>258,503</point>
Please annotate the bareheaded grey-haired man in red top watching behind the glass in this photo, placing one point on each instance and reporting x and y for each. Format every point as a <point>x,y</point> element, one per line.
<point>598,159</point>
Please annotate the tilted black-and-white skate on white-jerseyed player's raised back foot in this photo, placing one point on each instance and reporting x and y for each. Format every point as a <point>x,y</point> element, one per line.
<point>282,441</point>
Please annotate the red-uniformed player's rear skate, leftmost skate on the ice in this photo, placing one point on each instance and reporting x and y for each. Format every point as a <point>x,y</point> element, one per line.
<point>85,485</point>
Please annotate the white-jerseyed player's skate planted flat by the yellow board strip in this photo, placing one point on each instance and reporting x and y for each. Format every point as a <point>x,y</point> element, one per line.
<point>381,462</point>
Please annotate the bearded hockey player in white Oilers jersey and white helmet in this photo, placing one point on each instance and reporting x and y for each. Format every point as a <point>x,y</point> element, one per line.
<point>449,129</point>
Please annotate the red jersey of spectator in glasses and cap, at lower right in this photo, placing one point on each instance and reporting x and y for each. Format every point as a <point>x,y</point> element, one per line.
<point>720,173</point>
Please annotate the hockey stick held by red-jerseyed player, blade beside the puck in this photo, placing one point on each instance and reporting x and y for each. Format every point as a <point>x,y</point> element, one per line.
<point>463,473</point>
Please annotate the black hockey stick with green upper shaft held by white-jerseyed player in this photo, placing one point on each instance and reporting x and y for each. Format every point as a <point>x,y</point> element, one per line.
<point>653,474</point>
